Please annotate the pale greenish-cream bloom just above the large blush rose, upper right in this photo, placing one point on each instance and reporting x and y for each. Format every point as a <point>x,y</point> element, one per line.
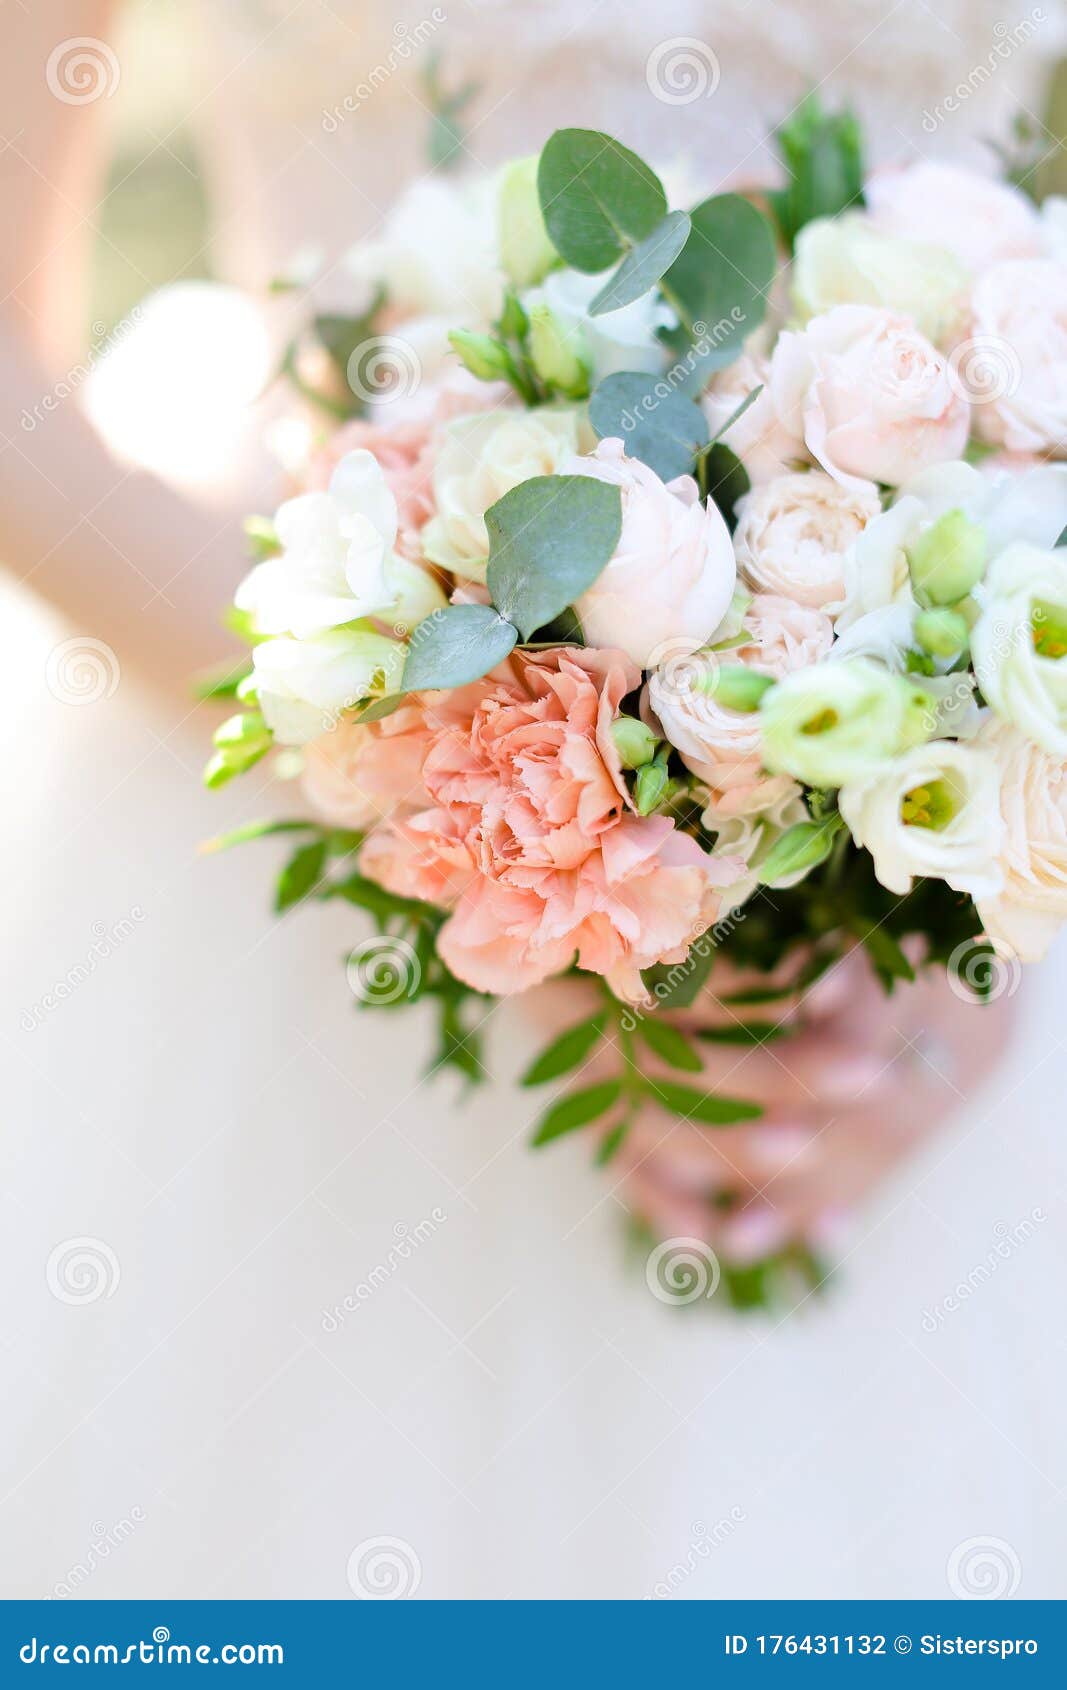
<point>850,261</point>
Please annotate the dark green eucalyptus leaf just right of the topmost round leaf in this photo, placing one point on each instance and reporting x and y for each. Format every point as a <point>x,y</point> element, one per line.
<point>721,280</point>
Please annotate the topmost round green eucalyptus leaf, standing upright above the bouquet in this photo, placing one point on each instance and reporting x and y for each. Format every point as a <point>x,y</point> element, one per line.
<point>598,199</point>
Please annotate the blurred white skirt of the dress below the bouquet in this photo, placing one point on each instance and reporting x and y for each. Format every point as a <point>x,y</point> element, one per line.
<point>512,1402</point>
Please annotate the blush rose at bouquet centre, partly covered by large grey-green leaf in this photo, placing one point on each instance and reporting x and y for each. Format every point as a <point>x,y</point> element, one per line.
<point>672,577</point>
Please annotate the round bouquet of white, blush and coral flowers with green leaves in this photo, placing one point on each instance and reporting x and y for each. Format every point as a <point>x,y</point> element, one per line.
<point>674,586</point>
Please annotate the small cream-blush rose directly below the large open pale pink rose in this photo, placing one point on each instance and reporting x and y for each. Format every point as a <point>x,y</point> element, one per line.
<point>794,535</point>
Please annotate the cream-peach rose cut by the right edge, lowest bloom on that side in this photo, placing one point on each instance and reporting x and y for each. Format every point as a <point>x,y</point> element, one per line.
<point>1032,907</point>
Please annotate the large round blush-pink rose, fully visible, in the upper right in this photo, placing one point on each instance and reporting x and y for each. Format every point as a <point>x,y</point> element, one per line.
<point>872,398</point>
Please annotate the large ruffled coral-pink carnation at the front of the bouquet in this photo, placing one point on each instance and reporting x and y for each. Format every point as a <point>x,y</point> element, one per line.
<point>528,836</point>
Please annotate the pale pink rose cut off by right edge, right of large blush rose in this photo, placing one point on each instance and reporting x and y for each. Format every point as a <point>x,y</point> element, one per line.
<point>1015,356</point>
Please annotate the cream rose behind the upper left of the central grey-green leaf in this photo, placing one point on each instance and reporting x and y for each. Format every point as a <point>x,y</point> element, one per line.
<point>481,459</point>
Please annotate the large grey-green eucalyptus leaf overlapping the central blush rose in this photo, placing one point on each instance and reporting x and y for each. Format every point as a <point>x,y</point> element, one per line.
<point>549,542</point>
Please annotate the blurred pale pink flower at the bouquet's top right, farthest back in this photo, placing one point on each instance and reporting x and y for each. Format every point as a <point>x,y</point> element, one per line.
<point>975,217</point>
